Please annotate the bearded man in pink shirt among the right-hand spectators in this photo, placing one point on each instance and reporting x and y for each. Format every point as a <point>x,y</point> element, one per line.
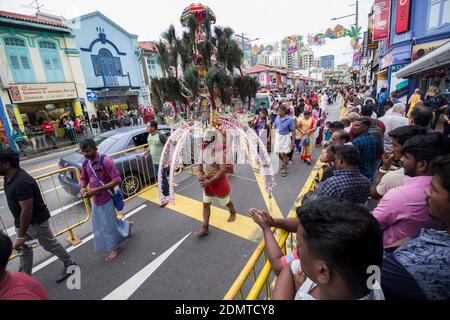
<point>403,211</point>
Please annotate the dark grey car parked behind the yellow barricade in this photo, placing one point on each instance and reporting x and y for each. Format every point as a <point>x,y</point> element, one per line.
<point>130,164</point>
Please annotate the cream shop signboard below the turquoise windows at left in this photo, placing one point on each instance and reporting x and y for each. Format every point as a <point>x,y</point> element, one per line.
<point>42,92</point>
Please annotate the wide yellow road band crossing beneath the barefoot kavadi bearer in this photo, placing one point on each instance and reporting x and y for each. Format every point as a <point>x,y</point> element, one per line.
<point>243,227</point>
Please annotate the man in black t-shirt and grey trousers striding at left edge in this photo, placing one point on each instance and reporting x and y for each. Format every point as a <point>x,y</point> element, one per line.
<point>30,214</point>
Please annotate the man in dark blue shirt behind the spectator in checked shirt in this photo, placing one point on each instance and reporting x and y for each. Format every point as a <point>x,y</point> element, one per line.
<point>366,144</point>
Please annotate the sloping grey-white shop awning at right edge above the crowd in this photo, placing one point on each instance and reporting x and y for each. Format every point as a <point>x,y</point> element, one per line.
<point>438,59</point>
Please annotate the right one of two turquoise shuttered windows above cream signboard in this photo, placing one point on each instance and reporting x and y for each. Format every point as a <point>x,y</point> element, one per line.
<point>51,62</point>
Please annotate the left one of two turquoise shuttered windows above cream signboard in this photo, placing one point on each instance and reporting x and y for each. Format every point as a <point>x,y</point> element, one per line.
<point>19,60</point>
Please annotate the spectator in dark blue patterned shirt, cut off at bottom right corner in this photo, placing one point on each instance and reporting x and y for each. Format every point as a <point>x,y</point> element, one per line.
<point>420,269</point>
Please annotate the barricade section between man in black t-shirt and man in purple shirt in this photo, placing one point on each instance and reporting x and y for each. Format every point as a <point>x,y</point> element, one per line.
<point>67,211</point>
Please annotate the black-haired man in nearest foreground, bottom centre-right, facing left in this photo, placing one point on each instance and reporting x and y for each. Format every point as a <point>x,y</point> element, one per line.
<point>337,244</point>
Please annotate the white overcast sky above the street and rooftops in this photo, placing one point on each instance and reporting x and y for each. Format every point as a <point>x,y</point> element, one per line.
<point>269,20</point>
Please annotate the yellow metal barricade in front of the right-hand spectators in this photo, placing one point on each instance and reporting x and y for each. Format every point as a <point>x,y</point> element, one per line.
<point>259,261</point>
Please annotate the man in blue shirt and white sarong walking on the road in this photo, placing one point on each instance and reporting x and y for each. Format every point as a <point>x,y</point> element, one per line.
<point>284,138</point>
